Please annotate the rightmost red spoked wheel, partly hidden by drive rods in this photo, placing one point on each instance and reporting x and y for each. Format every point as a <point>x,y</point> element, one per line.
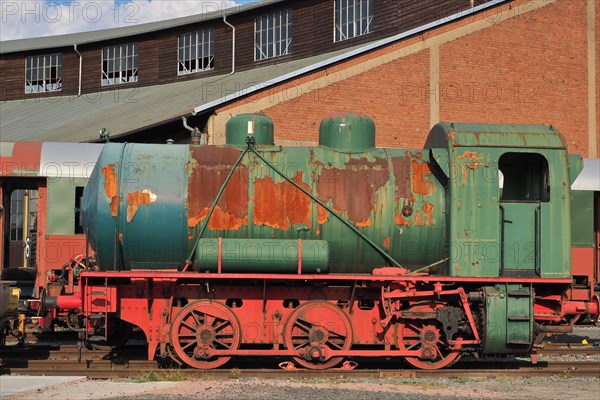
<point>426,336</point>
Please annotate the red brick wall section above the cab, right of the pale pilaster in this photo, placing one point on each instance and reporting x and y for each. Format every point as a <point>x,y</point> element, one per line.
<point>528,69</point>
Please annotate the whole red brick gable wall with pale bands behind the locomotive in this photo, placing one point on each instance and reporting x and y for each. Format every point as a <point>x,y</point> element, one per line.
<point>525,62</point>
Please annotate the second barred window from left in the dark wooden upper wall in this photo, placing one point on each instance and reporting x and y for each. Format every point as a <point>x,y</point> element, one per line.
<point>119,64</point>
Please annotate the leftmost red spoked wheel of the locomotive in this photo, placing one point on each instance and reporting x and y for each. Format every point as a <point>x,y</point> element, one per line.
<point>200,327</point>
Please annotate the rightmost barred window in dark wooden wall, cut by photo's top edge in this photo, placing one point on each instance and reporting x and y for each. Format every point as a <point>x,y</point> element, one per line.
<point>353,18</point>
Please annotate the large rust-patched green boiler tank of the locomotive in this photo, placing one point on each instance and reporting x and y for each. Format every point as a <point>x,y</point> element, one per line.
<point>390,195</point>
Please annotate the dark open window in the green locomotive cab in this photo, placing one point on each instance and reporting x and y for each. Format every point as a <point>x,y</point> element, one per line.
<point>524,177</point>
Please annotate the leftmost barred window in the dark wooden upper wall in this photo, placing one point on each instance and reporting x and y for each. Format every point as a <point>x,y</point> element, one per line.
<point>43,73</point>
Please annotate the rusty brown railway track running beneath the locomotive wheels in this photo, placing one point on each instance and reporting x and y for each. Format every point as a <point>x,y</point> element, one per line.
<point>62,359</point>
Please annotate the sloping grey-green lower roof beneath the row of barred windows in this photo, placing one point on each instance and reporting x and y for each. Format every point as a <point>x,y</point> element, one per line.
<point>78,119</point>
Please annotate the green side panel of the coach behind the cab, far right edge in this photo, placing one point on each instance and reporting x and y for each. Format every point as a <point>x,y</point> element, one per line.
<point>582,221</point>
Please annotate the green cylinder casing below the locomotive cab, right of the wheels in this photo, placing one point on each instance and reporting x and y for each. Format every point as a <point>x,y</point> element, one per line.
<point>508,319</point>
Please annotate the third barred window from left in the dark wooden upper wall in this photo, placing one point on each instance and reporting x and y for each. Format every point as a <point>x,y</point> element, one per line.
<point>196,52</point>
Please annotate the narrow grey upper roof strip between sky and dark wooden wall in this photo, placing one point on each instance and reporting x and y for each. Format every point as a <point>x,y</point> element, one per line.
<point>12,46</point>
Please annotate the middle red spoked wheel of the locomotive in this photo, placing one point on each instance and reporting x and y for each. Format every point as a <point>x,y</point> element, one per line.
<point>315,328</point>
